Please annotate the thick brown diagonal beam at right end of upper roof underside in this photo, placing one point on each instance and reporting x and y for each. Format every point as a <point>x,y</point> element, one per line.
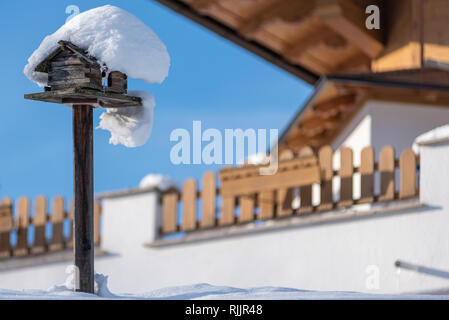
<point>348,20</point>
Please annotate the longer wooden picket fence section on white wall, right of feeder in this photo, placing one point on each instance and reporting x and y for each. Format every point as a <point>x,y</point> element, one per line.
<point>245,196</point>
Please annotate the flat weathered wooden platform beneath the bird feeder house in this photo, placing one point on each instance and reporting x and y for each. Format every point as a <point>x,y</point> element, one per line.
<point>95,98</point>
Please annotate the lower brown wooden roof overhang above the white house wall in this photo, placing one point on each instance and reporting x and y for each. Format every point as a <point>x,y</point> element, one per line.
<point>338,98</point>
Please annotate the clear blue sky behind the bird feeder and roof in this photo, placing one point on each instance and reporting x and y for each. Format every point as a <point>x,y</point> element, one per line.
<point>210,79</point>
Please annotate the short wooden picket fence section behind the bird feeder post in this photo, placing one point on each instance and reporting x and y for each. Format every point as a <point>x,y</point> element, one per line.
<point>40,232</point>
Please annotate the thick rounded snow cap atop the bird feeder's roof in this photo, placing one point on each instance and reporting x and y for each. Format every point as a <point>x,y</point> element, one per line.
<point>114,37</point>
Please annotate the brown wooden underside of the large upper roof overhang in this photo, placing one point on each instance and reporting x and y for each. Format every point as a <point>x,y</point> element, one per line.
<point>308,38</point>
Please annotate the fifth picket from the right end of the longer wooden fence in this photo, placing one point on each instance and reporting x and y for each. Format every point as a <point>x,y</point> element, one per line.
<point>326,173</point>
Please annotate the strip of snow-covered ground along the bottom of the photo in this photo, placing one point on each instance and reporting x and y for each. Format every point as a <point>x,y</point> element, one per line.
<point>207,291</point>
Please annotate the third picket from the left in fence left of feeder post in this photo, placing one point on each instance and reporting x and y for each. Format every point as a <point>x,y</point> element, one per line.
<point>39,222</point>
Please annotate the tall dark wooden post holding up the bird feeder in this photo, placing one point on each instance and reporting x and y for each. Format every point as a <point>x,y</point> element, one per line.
<point>83,196</point>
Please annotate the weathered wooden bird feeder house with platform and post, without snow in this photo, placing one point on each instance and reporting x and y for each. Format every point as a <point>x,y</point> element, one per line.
<point>76,79</point>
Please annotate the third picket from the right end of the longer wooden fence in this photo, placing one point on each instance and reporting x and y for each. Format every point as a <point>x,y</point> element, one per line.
<point>366,175</point>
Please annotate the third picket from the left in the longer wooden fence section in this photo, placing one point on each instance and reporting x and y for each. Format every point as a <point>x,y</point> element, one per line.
<point>208,197</point>
